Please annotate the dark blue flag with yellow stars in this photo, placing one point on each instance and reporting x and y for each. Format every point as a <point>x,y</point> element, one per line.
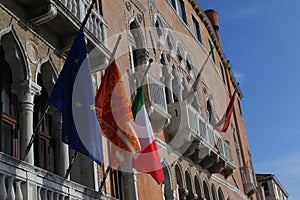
<point>73,95</point>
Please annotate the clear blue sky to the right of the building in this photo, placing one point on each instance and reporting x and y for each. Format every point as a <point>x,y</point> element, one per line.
<point>262,41</point>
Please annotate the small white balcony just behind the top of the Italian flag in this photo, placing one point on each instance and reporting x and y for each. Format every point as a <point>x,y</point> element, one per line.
<point>155,100</point>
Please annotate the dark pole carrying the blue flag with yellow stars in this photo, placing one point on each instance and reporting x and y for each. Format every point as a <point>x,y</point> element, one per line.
<point>35,133</point>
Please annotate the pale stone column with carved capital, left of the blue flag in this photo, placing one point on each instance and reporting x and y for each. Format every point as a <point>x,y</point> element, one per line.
<point>25,91</point>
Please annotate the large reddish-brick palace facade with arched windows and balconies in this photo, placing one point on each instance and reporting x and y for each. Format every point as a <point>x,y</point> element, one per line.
<point>199,162</point>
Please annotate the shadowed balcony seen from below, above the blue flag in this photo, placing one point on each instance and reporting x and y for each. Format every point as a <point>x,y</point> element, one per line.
<point>58,21</point>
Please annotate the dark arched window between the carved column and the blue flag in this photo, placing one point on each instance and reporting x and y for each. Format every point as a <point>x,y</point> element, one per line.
<point>44,143</point>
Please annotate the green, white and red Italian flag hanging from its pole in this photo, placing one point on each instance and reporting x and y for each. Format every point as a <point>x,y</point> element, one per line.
<point>148,160</point>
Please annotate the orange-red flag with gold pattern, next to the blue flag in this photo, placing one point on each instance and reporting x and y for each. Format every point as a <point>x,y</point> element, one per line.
<point>115,116</point>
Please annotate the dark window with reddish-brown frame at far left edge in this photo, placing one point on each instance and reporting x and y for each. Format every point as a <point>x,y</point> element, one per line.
<point>9,131</point>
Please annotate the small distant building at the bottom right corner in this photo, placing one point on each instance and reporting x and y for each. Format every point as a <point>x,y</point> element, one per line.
<point>271,187</point>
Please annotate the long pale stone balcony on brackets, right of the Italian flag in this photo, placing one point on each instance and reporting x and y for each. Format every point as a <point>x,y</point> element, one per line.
<point>198,140</point>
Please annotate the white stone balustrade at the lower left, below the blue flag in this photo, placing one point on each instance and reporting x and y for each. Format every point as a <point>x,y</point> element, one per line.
<point>19,180</point>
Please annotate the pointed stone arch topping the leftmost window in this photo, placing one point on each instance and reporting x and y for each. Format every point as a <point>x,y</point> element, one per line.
<point>15,54</point>
